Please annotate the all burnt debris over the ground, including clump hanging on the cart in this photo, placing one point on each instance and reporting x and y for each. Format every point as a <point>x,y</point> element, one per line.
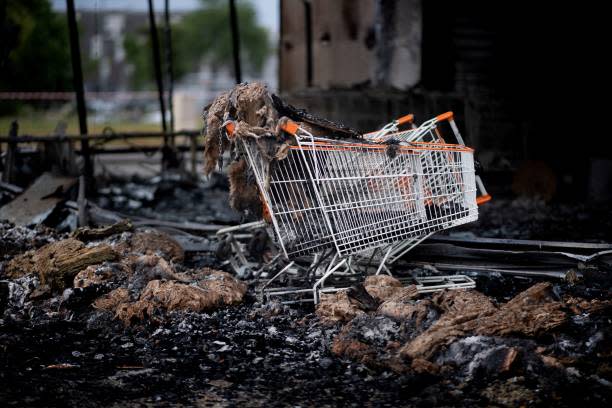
<point>160,300</point>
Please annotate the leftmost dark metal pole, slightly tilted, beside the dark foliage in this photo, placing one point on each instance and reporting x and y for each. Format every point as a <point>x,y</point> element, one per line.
<point>77,78</point>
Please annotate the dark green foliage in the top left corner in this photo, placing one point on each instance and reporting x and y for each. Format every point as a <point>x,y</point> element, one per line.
<point>39,54</point>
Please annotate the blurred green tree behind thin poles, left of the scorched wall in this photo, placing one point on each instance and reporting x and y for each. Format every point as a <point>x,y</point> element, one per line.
<point>202,36</point>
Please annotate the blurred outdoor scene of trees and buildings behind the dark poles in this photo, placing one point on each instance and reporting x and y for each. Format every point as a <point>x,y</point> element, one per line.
<point>118,67</point>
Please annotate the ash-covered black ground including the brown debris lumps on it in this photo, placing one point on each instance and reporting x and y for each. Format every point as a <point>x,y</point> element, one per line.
<point>116,335</point>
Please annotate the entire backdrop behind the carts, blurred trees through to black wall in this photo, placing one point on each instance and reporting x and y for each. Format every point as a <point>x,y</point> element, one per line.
<point>509,71</point>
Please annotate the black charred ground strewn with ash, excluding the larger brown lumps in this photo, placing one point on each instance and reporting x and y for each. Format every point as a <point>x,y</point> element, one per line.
<point>60,350</point>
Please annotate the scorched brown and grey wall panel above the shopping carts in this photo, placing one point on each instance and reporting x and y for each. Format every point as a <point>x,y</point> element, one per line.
<point>344,48</point>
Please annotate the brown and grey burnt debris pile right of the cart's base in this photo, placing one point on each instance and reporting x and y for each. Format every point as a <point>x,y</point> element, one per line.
<point>462,333</point>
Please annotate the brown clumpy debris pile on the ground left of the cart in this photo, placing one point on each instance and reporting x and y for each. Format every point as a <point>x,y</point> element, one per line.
<point>138,274</point>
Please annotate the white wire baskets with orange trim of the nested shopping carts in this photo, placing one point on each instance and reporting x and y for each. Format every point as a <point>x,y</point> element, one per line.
<point>352,197</point>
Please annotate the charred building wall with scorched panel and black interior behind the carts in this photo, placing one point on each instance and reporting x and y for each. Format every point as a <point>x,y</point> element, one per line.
<point>509,70</point>
